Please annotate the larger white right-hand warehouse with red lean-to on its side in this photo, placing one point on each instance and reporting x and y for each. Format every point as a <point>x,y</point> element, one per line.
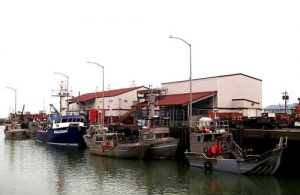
<point>233,93</point>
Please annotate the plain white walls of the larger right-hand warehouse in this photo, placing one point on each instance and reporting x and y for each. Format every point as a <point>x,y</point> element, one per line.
<point>228,87</point>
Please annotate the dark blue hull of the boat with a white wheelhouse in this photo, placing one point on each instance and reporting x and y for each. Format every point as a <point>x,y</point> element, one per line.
<point>68,136</point>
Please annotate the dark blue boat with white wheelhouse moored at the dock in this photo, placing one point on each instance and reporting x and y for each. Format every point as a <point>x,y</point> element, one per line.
<point>66,130</point>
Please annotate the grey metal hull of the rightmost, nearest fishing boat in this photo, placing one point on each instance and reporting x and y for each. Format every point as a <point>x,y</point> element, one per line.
<point>265,164</point>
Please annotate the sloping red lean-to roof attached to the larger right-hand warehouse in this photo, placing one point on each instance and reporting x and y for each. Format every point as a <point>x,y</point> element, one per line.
<point>183,99</point>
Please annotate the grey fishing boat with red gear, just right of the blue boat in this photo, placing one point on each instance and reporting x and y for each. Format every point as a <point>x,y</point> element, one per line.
<point>115,145</point>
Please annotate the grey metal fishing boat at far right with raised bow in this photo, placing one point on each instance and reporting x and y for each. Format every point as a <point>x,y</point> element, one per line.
<point>213,148</point>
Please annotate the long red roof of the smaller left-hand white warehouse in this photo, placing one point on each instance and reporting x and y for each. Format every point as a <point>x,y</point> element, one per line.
<point>110,93</point>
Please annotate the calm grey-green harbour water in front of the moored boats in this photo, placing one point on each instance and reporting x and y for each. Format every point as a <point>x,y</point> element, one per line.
<point>29,168</point>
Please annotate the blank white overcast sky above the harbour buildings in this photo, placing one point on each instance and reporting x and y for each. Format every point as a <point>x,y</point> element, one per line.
<point>131,40</point>
